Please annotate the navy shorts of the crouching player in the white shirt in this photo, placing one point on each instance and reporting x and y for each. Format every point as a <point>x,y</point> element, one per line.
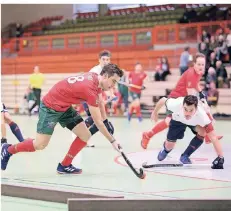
<point>176,130</point>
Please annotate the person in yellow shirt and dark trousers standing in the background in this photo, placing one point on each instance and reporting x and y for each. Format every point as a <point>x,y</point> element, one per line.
<point>36,81</point>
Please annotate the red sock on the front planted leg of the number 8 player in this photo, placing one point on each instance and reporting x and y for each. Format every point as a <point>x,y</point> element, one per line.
<point>75,148</point>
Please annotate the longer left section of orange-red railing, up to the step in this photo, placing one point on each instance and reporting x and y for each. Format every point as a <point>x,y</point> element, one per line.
<point>71,43</point>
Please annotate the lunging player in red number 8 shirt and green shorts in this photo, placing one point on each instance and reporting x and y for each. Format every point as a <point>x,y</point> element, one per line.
<point>56,107</point>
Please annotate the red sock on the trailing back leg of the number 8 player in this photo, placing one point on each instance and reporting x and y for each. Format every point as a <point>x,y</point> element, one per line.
<point>25,146</point>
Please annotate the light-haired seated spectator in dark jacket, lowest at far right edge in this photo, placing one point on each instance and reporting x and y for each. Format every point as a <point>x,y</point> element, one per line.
<point>221,75</point>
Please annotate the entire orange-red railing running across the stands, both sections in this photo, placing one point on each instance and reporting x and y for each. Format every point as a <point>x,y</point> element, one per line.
<point>134,39</point>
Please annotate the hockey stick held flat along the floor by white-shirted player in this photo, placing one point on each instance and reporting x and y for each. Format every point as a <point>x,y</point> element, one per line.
<point>162,165</point>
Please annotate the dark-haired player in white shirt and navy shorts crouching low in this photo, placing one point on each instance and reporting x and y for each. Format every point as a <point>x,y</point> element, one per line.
<point>186,112</point>
